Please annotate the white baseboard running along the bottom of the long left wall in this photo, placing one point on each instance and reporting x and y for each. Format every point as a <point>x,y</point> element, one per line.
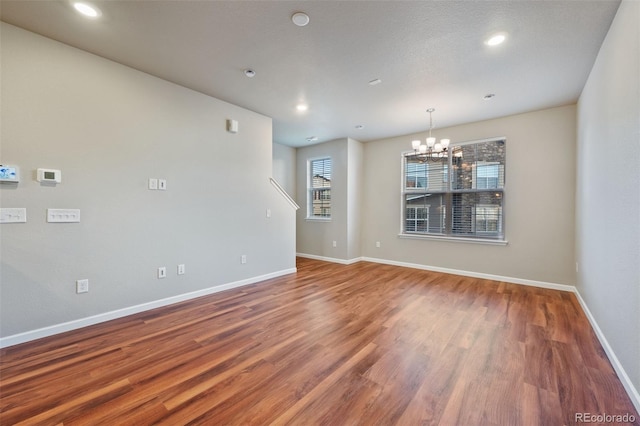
<point>119,313</point>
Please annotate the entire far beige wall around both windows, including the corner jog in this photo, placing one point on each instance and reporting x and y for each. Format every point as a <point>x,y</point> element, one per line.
<point>539,202</point>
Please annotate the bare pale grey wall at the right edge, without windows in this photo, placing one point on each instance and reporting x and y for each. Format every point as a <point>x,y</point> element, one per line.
<point>608,190</point>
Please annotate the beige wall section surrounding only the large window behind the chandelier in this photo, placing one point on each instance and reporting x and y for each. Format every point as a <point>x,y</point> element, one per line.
<point>539,201</point>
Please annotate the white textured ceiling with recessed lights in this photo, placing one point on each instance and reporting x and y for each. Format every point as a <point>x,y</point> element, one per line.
<point>427,54</point>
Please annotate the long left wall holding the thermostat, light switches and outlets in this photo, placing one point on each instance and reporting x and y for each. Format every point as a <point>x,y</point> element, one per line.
<point>109,129</point>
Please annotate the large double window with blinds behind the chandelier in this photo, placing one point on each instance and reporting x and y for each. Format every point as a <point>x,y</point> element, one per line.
<point>469,183</point>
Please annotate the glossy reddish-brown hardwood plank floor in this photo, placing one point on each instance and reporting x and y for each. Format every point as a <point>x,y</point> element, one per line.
<point>364,344</point>
